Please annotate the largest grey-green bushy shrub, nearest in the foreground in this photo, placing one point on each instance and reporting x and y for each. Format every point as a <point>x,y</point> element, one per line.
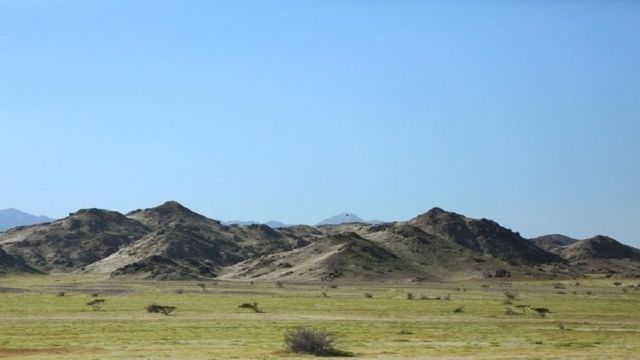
<point>313,342</point>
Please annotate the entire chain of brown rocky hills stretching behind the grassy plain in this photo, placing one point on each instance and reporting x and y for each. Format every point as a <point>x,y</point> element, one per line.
<point>171,242</point>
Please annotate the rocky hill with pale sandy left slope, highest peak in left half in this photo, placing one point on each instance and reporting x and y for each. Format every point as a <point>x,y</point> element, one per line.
<point>183,244</point>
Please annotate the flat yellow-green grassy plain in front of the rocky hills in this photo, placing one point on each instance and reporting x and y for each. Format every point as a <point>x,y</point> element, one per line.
<point>594,320</point>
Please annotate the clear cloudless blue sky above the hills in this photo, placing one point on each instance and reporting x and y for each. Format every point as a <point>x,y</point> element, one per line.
<point>524,112</point>
